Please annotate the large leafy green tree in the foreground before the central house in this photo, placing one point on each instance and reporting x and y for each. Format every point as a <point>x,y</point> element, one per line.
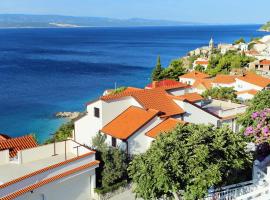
<point>190,159</point>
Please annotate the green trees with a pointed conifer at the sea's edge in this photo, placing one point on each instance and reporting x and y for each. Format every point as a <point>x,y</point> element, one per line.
<point>175,69</point>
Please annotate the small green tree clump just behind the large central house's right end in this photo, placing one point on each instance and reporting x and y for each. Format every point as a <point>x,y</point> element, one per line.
<point>221,93</point>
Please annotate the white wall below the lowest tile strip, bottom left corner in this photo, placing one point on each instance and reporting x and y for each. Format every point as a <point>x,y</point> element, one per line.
<point>75,187</point>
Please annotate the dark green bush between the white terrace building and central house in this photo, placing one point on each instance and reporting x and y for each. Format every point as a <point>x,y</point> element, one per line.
<point>112,172</point>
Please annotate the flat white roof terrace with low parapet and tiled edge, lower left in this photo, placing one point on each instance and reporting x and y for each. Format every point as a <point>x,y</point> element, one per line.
<point>40,163</point>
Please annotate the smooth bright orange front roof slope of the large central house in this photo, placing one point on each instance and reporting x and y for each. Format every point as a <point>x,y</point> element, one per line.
<point>129,122</point>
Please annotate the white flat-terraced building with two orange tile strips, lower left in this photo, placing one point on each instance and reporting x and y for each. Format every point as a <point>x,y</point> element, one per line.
<point>64,170</point>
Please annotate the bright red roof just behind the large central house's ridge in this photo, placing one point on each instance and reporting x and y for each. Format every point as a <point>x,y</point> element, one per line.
<point>167,84</point>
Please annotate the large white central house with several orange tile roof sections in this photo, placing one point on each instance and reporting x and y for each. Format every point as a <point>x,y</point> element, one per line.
<point>126,118</point>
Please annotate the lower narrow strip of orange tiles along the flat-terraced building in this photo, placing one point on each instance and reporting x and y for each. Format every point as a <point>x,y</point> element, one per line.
<point>30,188</point>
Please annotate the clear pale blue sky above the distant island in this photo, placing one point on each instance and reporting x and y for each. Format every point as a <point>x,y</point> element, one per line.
<point>207,11</point>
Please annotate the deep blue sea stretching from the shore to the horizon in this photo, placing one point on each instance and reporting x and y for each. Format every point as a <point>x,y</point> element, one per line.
<point>43,71</point>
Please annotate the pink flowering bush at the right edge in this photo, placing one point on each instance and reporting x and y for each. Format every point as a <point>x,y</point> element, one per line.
<point>260,130</point>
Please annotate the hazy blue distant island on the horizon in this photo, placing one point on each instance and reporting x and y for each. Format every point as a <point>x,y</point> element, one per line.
<point>53,21</point>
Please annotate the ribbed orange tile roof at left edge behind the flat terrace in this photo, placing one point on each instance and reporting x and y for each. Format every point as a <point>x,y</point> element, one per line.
<point>16,144</point>
